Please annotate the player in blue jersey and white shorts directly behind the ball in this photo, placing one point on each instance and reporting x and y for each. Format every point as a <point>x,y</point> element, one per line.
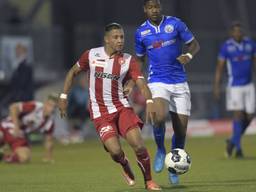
<point>161,38</point>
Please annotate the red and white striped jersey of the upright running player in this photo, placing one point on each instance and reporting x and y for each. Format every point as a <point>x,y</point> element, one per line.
<point>107,76</point>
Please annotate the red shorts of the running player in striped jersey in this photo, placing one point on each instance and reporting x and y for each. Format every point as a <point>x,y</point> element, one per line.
<point>118,123</point>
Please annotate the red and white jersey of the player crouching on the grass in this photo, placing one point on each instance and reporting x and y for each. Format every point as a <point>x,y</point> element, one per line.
<point>31,118</point>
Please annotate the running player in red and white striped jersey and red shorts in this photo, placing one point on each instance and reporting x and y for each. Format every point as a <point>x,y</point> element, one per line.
<point>109,69</point>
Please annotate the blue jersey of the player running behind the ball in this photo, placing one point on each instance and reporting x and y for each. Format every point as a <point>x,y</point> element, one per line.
<point>163,44</point>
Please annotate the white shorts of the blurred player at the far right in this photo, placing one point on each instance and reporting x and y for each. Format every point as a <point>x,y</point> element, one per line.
<point>241,98</point>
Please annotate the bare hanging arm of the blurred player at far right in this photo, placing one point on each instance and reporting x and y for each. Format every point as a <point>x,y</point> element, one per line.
<point>217,79</point>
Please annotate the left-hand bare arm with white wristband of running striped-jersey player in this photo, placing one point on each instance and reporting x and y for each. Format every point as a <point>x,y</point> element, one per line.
<point>75,70</point>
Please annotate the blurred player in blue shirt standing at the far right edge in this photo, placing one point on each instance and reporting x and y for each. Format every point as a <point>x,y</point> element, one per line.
<point>238,53</point>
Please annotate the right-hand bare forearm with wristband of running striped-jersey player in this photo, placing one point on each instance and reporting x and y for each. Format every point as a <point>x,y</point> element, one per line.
<point>150,109</point>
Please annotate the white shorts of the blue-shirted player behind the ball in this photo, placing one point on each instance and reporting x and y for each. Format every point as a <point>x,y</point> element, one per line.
<point>178,96</point>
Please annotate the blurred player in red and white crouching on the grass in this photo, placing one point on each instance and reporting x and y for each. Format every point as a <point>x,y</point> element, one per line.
<point>24,118</point>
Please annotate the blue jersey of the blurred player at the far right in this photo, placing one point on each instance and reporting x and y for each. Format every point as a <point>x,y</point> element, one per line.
<point>239,59</point>
